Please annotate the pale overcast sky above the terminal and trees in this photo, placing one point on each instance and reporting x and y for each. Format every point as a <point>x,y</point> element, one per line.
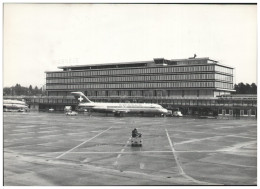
<point>41,37</point>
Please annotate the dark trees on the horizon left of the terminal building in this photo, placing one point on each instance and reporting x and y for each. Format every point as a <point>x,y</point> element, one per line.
<point>19,90</point>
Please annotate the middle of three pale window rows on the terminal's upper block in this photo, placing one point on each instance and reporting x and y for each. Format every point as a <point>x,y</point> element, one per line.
<point>141,78</point>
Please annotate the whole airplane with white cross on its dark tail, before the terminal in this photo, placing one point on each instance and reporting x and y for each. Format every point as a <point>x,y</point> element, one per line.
<point>118,109</point>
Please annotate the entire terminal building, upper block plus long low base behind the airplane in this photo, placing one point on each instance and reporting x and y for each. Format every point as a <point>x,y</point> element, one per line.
<point>195,86</point>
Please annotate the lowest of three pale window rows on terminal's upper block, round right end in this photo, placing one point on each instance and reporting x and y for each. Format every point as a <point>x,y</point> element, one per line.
<point>143,85</point>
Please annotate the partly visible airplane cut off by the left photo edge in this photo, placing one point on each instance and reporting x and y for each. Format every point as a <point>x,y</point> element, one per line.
<point>14,105</point>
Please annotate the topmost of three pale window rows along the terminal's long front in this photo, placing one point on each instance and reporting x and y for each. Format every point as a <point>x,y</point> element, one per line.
<point>168,69</point>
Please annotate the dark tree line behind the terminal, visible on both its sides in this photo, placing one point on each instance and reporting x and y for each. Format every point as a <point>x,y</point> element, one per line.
<point>18,90</point>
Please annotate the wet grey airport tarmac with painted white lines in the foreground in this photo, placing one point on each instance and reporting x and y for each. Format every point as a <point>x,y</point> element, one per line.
<point>57,150</point>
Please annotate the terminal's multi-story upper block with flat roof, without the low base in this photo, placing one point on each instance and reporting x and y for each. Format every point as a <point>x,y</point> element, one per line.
<point>184,78</point>
